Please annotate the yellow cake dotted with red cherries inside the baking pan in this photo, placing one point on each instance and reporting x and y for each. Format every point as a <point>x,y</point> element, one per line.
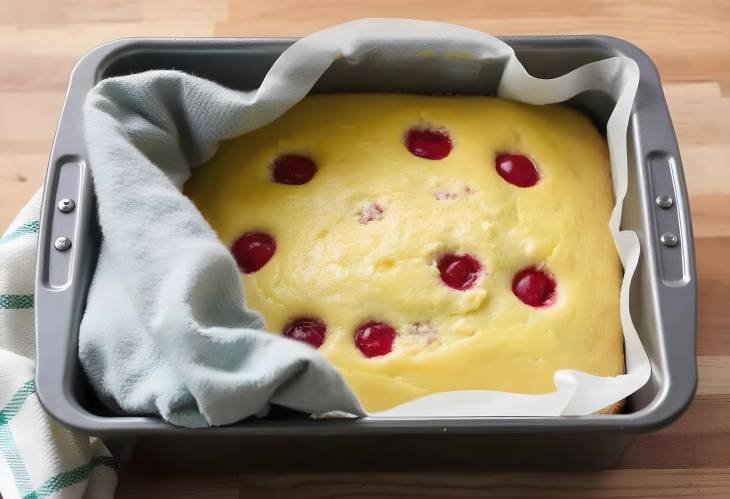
<point>426,244</point>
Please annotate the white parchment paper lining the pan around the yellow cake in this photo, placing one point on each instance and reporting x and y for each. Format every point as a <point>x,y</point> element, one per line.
<point>576,392</point>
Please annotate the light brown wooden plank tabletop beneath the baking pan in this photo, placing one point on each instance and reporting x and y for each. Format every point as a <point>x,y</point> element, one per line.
<point>690,42</point>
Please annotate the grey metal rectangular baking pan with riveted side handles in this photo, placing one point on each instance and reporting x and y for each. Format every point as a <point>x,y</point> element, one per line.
<point>663,297</point>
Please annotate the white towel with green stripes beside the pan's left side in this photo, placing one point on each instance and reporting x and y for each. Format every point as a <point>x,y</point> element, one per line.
<point>38,456</point>
